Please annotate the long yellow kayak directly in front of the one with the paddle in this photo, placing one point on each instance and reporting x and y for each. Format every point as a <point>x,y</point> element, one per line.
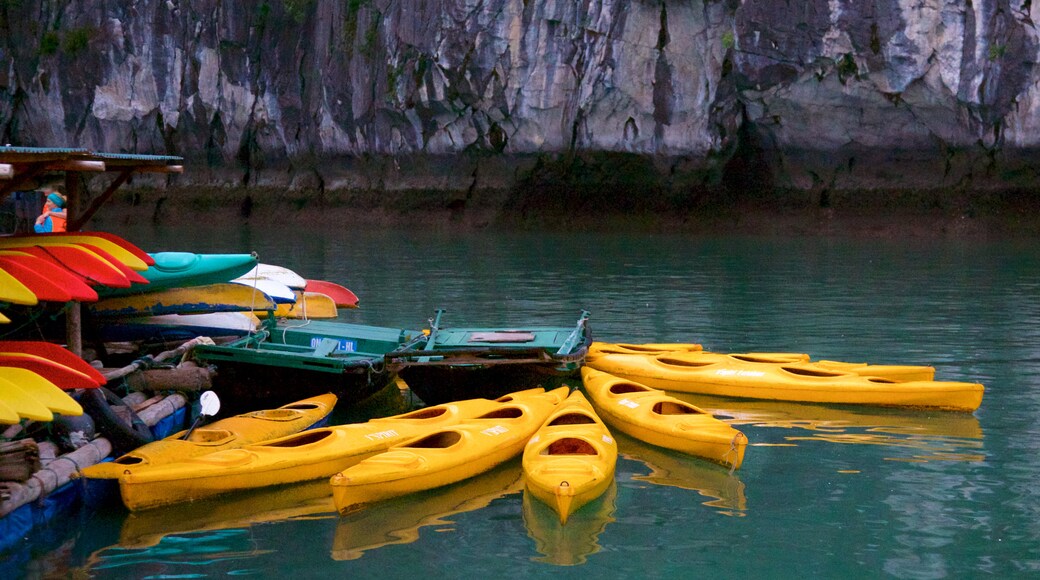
<point>311,455</point>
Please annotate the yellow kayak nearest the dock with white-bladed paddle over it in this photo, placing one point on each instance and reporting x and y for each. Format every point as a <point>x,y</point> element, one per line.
<point>225,434</point>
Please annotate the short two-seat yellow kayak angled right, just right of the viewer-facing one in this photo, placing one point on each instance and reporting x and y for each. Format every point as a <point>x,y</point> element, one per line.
<point>657,418</point>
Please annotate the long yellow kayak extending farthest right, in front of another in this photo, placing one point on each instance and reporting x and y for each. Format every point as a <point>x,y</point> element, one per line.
<point>733,376</point>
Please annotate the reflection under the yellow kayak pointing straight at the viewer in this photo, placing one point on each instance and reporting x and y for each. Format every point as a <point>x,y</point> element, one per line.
<point>569,544</point>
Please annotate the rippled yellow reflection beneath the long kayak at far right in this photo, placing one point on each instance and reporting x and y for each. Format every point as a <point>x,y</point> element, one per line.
<point>928,436</point>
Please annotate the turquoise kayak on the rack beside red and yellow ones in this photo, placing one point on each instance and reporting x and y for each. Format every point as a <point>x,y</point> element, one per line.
<point>183,270</point>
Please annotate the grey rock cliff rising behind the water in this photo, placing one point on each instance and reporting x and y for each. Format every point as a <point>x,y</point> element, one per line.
<point>660,100</point>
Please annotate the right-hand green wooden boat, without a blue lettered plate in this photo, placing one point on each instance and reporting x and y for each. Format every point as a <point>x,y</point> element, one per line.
<point>457,364</point>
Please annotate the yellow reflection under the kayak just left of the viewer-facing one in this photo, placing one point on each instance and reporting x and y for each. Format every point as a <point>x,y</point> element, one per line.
<point>399,520</point>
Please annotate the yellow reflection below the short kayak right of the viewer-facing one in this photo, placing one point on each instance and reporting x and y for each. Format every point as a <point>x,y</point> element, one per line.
<point>723,490</point>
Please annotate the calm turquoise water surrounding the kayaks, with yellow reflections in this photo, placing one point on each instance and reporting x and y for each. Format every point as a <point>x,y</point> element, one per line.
<point>824,491</point>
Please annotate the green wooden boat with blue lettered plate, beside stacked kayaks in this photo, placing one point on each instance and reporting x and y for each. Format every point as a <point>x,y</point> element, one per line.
<point>283,362</point>
